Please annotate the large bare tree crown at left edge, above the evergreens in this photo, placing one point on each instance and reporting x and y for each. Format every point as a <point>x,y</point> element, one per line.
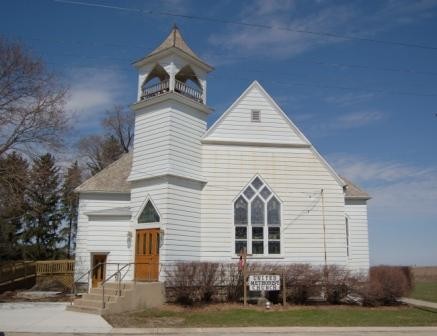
<point>31,102</point>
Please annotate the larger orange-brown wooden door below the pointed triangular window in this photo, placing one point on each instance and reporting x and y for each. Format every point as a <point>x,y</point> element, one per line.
<point>147,255</point>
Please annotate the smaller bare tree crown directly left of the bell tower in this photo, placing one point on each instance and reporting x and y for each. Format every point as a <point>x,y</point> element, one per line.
<point>119,123</point>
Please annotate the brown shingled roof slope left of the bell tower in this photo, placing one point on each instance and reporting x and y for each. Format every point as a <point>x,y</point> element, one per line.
<point>112,179</point>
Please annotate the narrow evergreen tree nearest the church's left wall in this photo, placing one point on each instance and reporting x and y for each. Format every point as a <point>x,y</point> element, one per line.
<point>70,204</point>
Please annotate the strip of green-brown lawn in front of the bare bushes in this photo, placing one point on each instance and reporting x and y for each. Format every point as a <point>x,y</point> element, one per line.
<point>234,316</point>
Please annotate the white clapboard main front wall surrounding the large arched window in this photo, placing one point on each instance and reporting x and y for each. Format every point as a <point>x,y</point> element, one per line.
<point>229,168</point>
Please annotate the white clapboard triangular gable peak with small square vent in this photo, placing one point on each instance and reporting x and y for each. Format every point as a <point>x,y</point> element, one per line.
<point>236,123</point>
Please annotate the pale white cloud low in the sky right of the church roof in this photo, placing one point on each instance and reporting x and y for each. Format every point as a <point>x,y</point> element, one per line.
<point>397,188</point>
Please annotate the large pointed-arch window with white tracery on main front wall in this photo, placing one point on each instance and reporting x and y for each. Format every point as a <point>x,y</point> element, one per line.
<point>257,220</point>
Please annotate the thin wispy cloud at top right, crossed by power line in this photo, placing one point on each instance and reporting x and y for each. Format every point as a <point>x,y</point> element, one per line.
<point>348,19</point>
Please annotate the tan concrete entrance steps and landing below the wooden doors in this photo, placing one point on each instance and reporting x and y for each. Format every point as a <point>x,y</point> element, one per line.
<point>131,296</point>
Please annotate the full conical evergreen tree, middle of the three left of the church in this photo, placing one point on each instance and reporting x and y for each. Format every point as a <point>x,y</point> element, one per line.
<point>44,217</point>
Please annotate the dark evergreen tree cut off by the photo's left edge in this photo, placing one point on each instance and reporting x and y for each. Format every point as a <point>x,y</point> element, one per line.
<point>13,182</point>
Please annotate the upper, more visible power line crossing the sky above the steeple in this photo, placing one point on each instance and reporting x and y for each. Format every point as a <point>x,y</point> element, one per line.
<point>250,24</point>
